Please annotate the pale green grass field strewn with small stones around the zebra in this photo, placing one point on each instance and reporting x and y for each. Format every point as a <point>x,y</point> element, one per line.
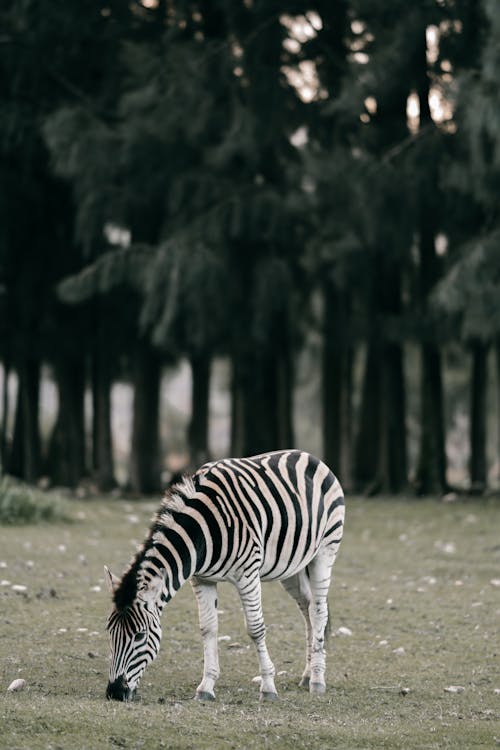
<point>416,583</point>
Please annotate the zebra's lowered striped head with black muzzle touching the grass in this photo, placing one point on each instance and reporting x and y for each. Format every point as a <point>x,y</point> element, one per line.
<point>135,634</point>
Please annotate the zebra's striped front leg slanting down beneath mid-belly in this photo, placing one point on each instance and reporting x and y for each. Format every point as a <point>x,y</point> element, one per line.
<point>250,593</point>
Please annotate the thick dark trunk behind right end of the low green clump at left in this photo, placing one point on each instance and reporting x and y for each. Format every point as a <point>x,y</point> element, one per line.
<point>66,455</point>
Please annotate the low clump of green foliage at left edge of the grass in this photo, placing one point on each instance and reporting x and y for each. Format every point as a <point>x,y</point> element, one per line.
<point>22,504</point>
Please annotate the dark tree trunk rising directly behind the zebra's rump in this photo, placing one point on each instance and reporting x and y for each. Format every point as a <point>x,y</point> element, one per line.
<point>337,383</point>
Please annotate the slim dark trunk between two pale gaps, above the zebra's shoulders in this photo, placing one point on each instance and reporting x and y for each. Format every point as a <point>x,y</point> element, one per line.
<point>198,426</point>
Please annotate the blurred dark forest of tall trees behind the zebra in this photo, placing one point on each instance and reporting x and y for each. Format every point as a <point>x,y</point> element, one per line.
<point>289,208</point>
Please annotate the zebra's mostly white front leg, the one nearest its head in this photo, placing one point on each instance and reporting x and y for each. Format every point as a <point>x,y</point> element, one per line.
<point>206,596</point>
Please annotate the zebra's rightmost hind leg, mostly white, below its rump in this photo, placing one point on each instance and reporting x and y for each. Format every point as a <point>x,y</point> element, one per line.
<point>320,570</point>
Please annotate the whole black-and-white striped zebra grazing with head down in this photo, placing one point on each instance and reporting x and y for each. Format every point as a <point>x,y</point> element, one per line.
<point>277,516</point>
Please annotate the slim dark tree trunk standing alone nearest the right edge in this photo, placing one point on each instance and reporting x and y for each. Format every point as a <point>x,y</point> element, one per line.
<point>479,386</point>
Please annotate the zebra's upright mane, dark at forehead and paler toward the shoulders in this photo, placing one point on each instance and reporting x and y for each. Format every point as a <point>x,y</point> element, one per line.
<point>173,502</point>
